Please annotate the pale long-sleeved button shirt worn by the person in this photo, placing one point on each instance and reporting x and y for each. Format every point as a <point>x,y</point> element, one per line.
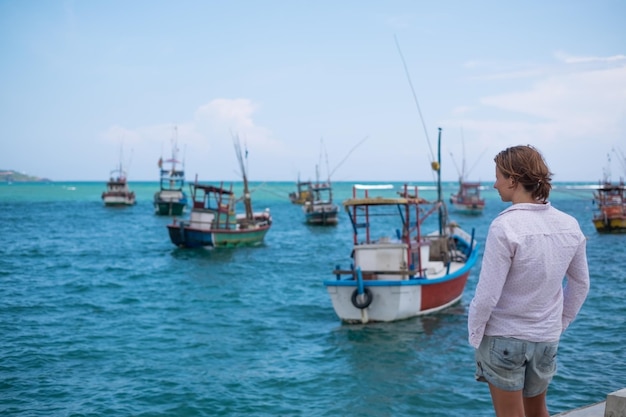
<point>530,250</point>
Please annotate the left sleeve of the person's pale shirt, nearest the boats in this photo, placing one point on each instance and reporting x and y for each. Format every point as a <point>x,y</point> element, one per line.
<point>496,263</point>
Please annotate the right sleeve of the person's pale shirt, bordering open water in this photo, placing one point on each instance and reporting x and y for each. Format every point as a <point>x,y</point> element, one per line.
<point>576,285</point>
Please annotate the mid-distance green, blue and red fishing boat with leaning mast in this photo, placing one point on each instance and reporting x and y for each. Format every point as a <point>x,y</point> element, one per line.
<point>214,221</point>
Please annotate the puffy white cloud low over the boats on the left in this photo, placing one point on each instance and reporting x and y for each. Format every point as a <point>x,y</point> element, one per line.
<point>205,141</point>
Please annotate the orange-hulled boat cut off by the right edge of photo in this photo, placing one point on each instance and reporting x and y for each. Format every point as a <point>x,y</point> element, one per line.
<point>610,201</point>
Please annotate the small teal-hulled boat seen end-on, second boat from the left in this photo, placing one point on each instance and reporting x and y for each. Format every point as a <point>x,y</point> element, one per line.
<point>171,200</point>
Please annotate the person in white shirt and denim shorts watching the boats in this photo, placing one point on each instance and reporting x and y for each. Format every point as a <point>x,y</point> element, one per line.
<point>521,305</point>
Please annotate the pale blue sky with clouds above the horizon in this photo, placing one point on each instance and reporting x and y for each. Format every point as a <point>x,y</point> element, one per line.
<point>310,83</point>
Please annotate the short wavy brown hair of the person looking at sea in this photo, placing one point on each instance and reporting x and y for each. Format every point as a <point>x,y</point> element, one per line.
<point>526,166</point>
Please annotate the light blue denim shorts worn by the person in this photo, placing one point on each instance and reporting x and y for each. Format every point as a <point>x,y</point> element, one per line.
<point>513,364</point>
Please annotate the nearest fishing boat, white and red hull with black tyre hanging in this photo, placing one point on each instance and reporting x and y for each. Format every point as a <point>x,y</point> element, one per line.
<point>396,270</point>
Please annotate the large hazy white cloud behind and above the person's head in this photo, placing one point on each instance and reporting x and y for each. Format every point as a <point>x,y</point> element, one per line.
<point>580,113</point>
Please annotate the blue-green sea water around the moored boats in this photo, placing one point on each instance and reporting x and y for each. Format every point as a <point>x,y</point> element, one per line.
<point>101,315</point>
